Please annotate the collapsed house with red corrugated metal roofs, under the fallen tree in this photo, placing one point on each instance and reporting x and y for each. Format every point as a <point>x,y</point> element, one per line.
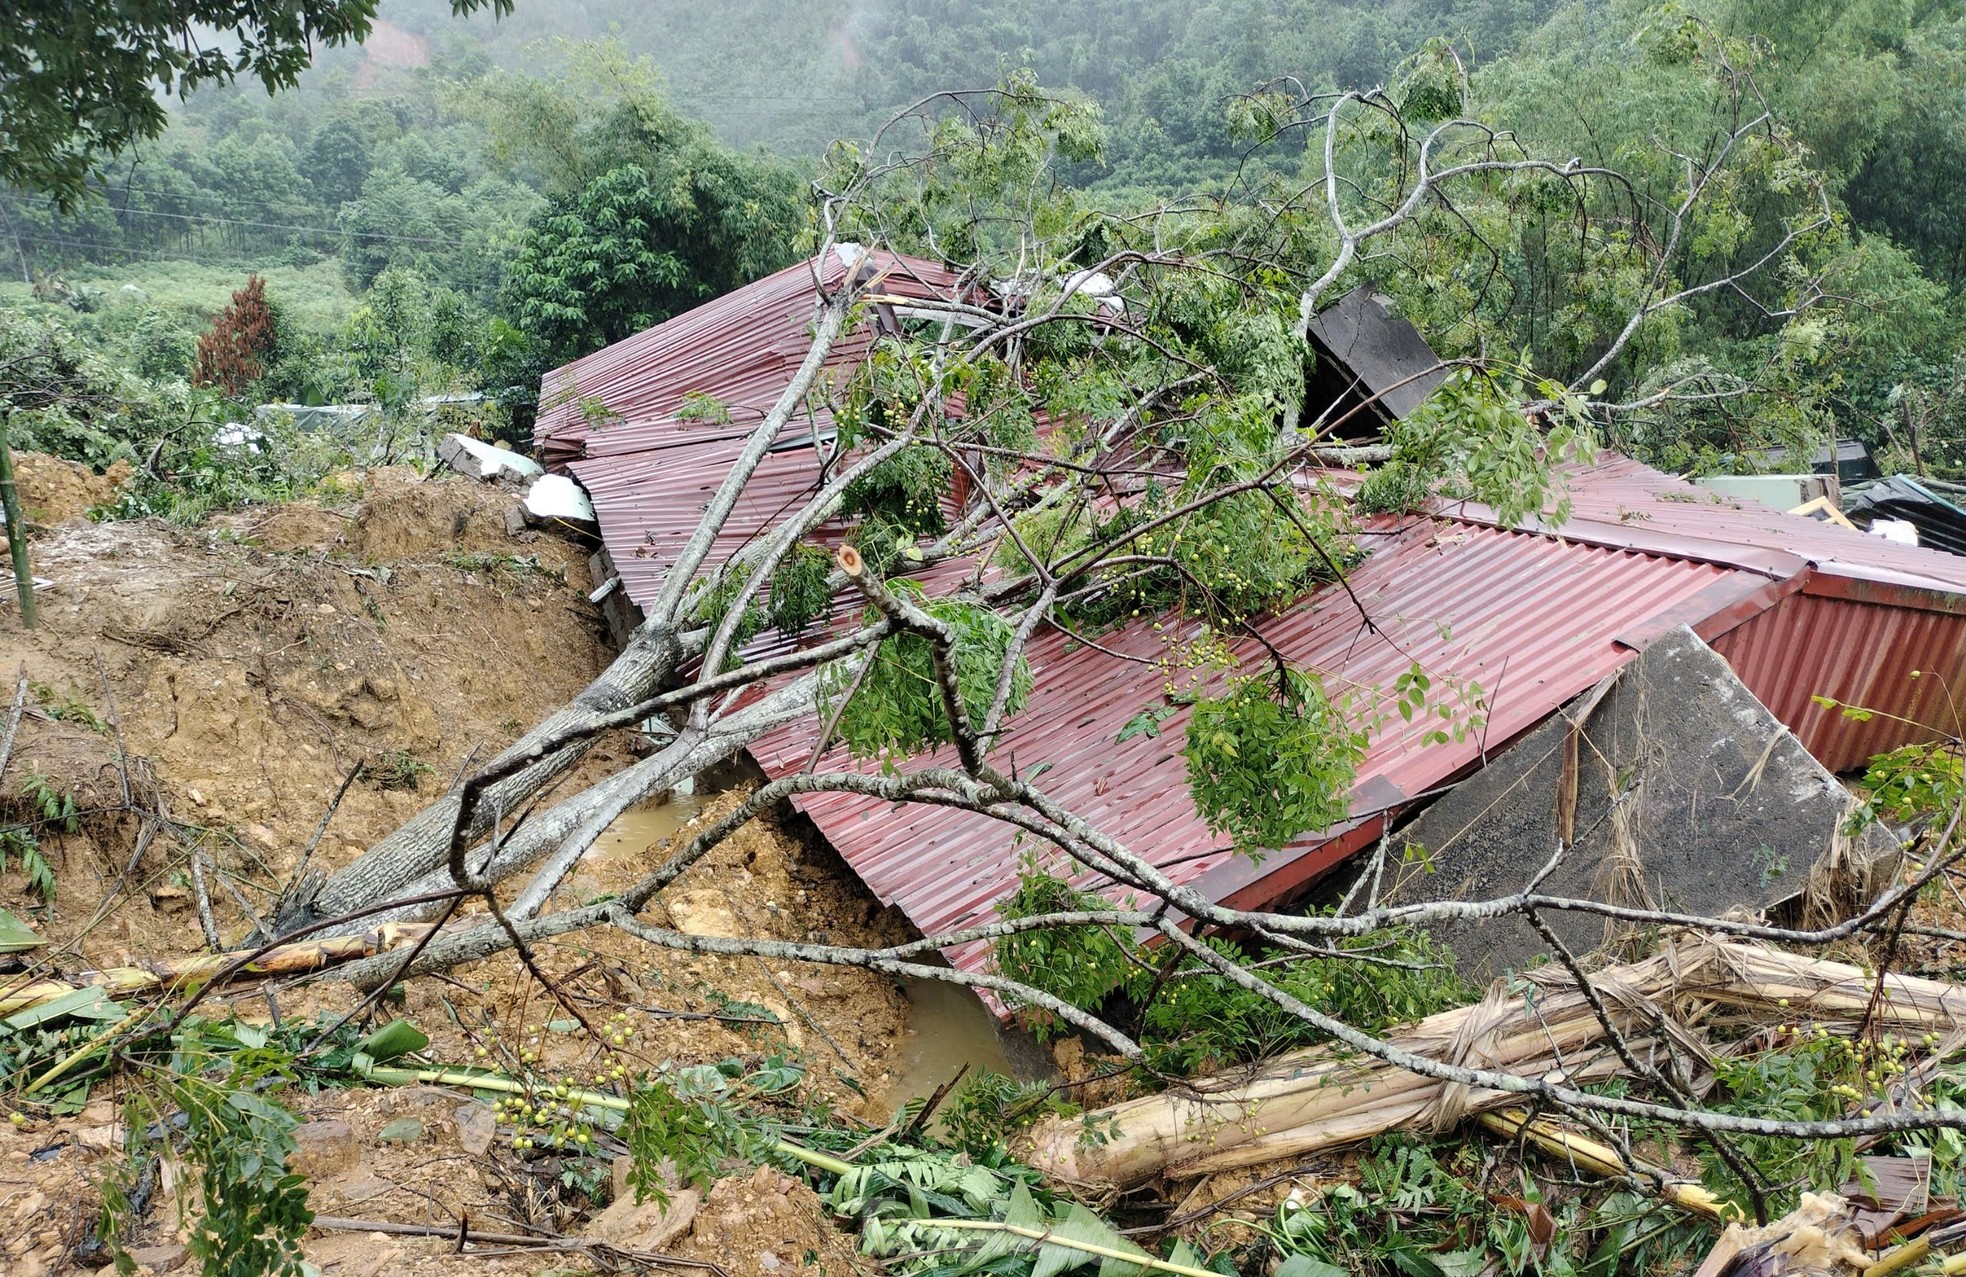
<point>1521,620</point>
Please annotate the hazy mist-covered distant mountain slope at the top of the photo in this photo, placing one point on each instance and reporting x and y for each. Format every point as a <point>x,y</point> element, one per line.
<point>799,76</point>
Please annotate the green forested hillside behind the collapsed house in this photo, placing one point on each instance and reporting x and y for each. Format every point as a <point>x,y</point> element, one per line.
<point>469,201</point>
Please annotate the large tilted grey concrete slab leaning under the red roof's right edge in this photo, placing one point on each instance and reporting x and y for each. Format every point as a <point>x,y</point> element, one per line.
<point>1690,799</point>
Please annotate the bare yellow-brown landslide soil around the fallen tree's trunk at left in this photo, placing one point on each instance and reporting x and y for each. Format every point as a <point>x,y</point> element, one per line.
<point>231,677</point>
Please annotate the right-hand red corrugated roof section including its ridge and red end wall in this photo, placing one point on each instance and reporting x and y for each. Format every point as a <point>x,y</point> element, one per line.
<point>1532,618</point>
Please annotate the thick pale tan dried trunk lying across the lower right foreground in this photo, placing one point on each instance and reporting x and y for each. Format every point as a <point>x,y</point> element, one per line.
<point>1322,1097</point>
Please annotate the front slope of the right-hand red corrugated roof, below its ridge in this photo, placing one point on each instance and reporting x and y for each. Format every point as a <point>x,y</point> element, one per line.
<point>1529,618</point>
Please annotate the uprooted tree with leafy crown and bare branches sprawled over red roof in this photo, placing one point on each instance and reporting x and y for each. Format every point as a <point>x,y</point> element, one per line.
<point>1181,472</point>
